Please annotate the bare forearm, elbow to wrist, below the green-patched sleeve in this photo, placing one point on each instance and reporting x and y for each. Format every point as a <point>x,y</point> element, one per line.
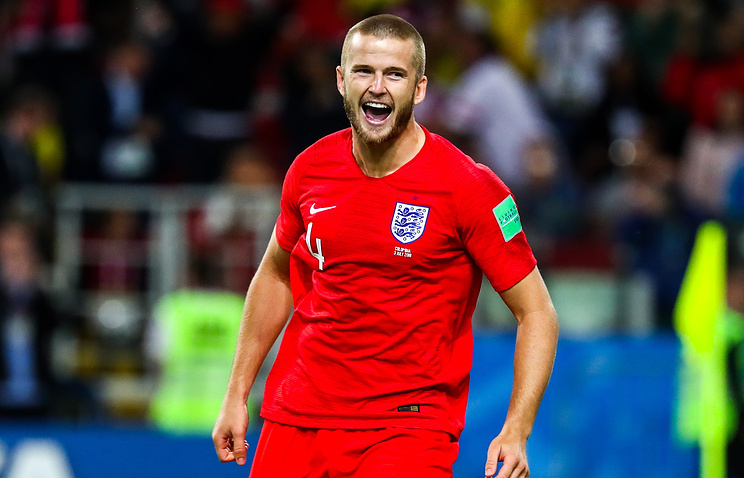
<point>534,354</point>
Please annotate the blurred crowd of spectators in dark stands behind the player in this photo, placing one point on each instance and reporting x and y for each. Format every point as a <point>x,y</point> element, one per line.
<point>618,124</point>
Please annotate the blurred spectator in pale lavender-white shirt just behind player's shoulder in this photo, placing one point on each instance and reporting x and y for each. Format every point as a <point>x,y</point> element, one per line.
<point>492,105</point>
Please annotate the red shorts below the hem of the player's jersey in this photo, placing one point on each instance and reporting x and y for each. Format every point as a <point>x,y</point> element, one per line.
<point>293,452</point>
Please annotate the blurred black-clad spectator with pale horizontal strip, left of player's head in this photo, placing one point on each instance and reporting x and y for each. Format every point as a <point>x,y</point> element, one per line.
<point>223,57</point>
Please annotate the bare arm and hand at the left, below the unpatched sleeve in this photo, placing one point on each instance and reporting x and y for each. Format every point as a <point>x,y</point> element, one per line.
<point>267,307</point>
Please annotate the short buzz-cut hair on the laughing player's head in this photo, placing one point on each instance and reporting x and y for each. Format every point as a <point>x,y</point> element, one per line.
<point>388,26</point>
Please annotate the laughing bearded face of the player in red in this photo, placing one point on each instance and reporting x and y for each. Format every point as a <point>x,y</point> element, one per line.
<point>379,87</point>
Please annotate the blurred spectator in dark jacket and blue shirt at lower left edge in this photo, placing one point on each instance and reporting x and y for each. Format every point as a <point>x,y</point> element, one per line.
<point>28,322</point>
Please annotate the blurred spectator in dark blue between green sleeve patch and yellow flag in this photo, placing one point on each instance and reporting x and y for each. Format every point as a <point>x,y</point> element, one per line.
<point>638,210</point>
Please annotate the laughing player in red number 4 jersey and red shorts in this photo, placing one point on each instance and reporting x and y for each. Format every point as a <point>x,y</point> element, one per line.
<point>383,233</point>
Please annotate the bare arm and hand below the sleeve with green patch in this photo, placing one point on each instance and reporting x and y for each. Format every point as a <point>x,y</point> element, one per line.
<point>534,354</point>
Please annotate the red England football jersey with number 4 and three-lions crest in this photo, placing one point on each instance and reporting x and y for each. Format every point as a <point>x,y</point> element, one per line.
<point>385,275</point>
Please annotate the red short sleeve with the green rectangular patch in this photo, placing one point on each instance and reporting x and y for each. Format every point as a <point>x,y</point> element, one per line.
<point>491,229</point>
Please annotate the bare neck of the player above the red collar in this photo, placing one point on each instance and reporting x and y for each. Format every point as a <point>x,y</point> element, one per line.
<point>379,160</point>
